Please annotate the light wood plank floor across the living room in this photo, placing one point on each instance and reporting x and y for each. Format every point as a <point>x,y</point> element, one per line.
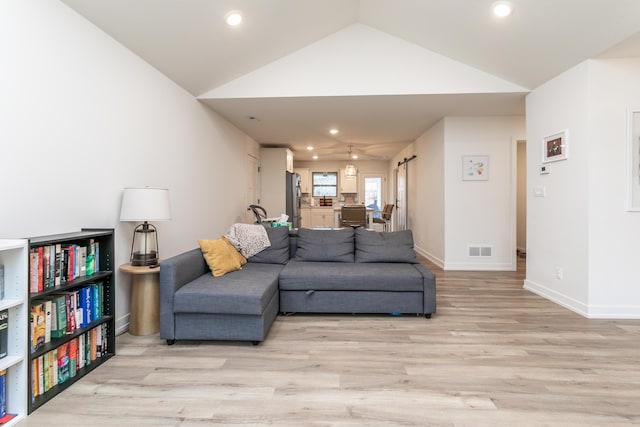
<point>493,355</point>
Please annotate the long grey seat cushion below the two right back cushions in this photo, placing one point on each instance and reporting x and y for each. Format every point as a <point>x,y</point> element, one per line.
<point>324,276</point>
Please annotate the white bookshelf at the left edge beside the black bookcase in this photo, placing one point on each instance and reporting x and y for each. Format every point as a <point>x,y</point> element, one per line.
<point>14,256</point>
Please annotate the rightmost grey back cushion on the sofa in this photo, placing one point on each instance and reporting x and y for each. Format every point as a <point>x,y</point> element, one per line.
<point>374,246</point>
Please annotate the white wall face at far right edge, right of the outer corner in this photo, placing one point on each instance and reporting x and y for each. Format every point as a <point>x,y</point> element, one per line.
<point>613,267</point>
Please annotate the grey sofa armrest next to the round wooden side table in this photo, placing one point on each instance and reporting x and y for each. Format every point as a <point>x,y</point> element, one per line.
<point>176,272</point>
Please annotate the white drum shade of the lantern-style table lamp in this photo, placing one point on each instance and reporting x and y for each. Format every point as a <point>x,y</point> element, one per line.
<point>145,204</point>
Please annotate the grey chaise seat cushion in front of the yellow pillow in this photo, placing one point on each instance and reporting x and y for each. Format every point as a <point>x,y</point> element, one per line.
<point>247,291</point>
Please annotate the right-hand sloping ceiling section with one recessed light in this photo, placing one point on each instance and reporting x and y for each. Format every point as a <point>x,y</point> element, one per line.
<point>541,38</point>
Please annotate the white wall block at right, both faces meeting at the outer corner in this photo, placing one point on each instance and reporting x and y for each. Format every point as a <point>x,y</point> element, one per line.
<point>582,226</point>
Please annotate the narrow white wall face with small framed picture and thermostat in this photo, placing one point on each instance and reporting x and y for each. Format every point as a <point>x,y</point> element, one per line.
<point>557,225</point>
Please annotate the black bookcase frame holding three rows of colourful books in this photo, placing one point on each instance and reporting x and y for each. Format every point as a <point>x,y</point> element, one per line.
<point>106,323</point>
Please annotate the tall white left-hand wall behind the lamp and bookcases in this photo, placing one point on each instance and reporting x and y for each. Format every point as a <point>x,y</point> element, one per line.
<point>82,118</point>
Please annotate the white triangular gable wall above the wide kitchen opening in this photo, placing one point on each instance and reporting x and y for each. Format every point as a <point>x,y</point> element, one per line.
<point>360,60</point>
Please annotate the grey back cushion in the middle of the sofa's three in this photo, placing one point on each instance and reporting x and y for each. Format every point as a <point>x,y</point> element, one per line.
<point>325,245</point>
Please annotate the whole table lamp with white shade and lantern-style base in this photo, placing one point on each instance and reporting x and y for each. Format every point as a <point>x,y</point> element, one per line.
<point>145,204</point>
